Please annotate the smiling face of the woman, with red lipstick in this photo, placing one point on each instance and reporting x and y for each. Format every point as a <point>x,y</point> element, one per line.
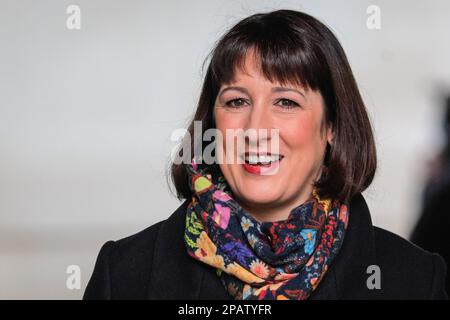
<point>253,102</point>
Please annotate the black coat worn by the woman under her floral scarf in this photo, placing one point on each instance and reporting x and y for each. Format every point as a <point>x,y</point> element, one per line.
<point>154,264</point>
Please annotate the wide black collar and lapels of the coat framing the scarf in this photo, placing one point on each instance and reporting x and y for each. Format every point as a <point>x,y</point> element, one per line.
<point>175,275</point>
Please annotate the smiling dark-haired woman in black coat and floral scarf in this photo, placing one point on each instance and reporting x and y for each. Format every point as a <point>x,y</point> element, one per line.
<point>283,223</point>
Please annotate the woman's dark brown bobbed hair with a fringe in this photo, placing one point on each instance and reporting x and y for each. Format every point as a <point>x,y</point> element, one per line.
<point>294,47</point>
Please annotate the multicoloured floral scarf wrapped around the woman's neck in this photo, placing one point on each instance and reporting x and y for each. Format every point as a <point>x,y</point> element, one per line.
<point>261,260</point>
